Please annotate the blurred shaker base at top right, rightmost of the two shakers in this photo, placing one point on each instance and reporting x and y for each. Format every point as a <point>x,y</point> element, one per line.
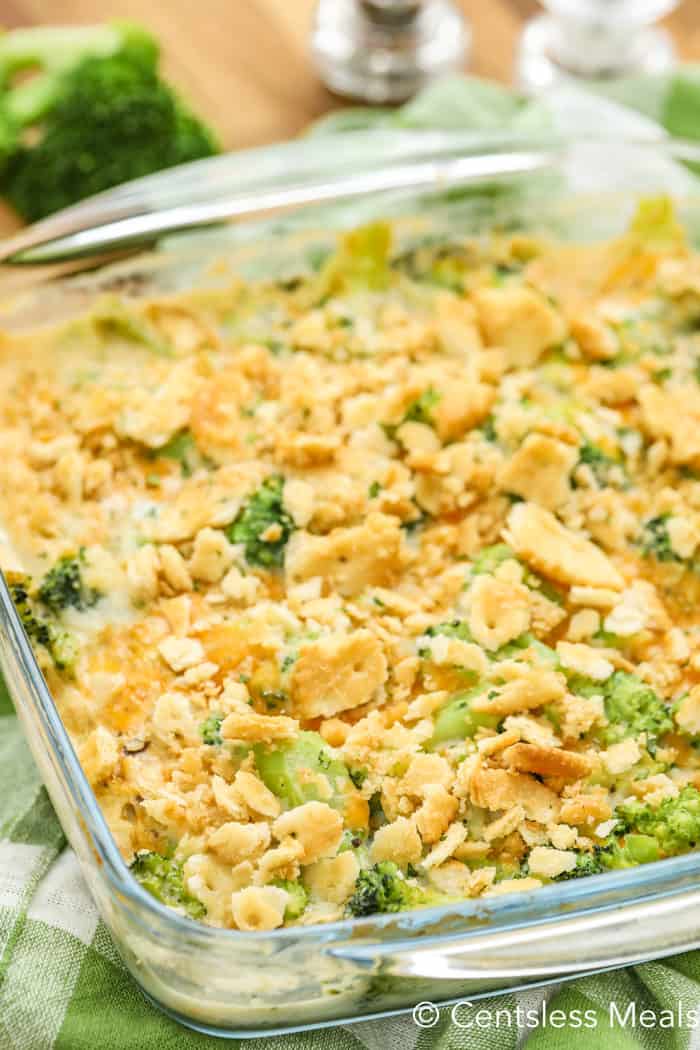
<point>593,40</point>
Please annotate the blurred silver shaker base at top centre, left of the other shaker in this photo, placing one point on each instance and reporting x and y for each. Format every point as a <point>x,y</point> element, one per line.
<point>385,51</point>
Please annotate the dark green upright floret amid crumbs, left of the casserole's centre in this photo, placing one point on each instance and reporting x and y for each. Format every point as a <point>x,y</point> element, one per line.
<point>264,511</point>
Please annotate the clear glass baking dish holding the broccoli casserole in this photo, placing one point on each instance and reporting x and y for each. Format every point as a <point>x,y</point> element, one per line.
<point>234,984</point>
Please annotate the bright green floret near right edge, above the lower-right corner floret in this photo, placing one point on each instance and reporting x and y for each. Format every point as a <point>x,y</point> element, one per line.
<point>632,707</point>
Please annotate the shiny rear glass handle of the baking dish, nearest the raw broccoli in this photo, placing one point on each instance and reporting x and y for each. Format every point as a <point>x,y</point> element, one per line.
<point>60,243</point>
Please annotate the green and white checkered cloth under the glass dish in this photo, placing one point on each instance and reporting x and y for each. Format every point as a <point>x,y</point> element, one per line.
<point>62,983</point>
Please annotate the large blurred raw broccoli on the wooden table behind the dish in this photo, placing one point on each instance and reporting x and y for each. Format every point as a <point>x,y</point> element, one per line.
<point>94,114</point>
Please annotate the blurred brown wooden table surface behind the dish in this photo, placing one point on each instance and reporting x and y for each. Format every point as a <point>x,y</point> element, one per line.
<point>244,64</point>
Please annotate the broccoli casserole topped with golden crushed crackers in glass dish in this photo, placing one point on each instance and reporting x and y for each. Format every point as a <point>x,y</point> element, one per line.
<point>377,587</point>
